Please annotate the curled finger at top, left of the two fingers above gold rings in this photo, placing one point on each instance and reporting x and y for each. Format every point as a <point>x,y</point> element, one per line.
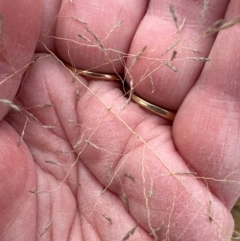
<point>96,35</point>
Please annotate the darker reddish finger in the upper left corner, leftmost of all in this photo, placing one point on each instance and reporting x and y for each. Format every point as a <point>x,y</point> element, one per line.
<point>19,32</point>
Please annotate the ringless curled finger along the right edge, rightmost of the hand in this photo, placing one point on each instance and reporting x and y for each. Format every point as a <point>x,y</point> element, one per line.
<point>210,116</point>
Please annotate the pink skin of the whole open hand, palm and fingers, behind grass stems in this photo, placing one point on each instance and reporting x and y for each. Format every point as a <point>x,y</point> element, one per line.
<point>204,137</point>
